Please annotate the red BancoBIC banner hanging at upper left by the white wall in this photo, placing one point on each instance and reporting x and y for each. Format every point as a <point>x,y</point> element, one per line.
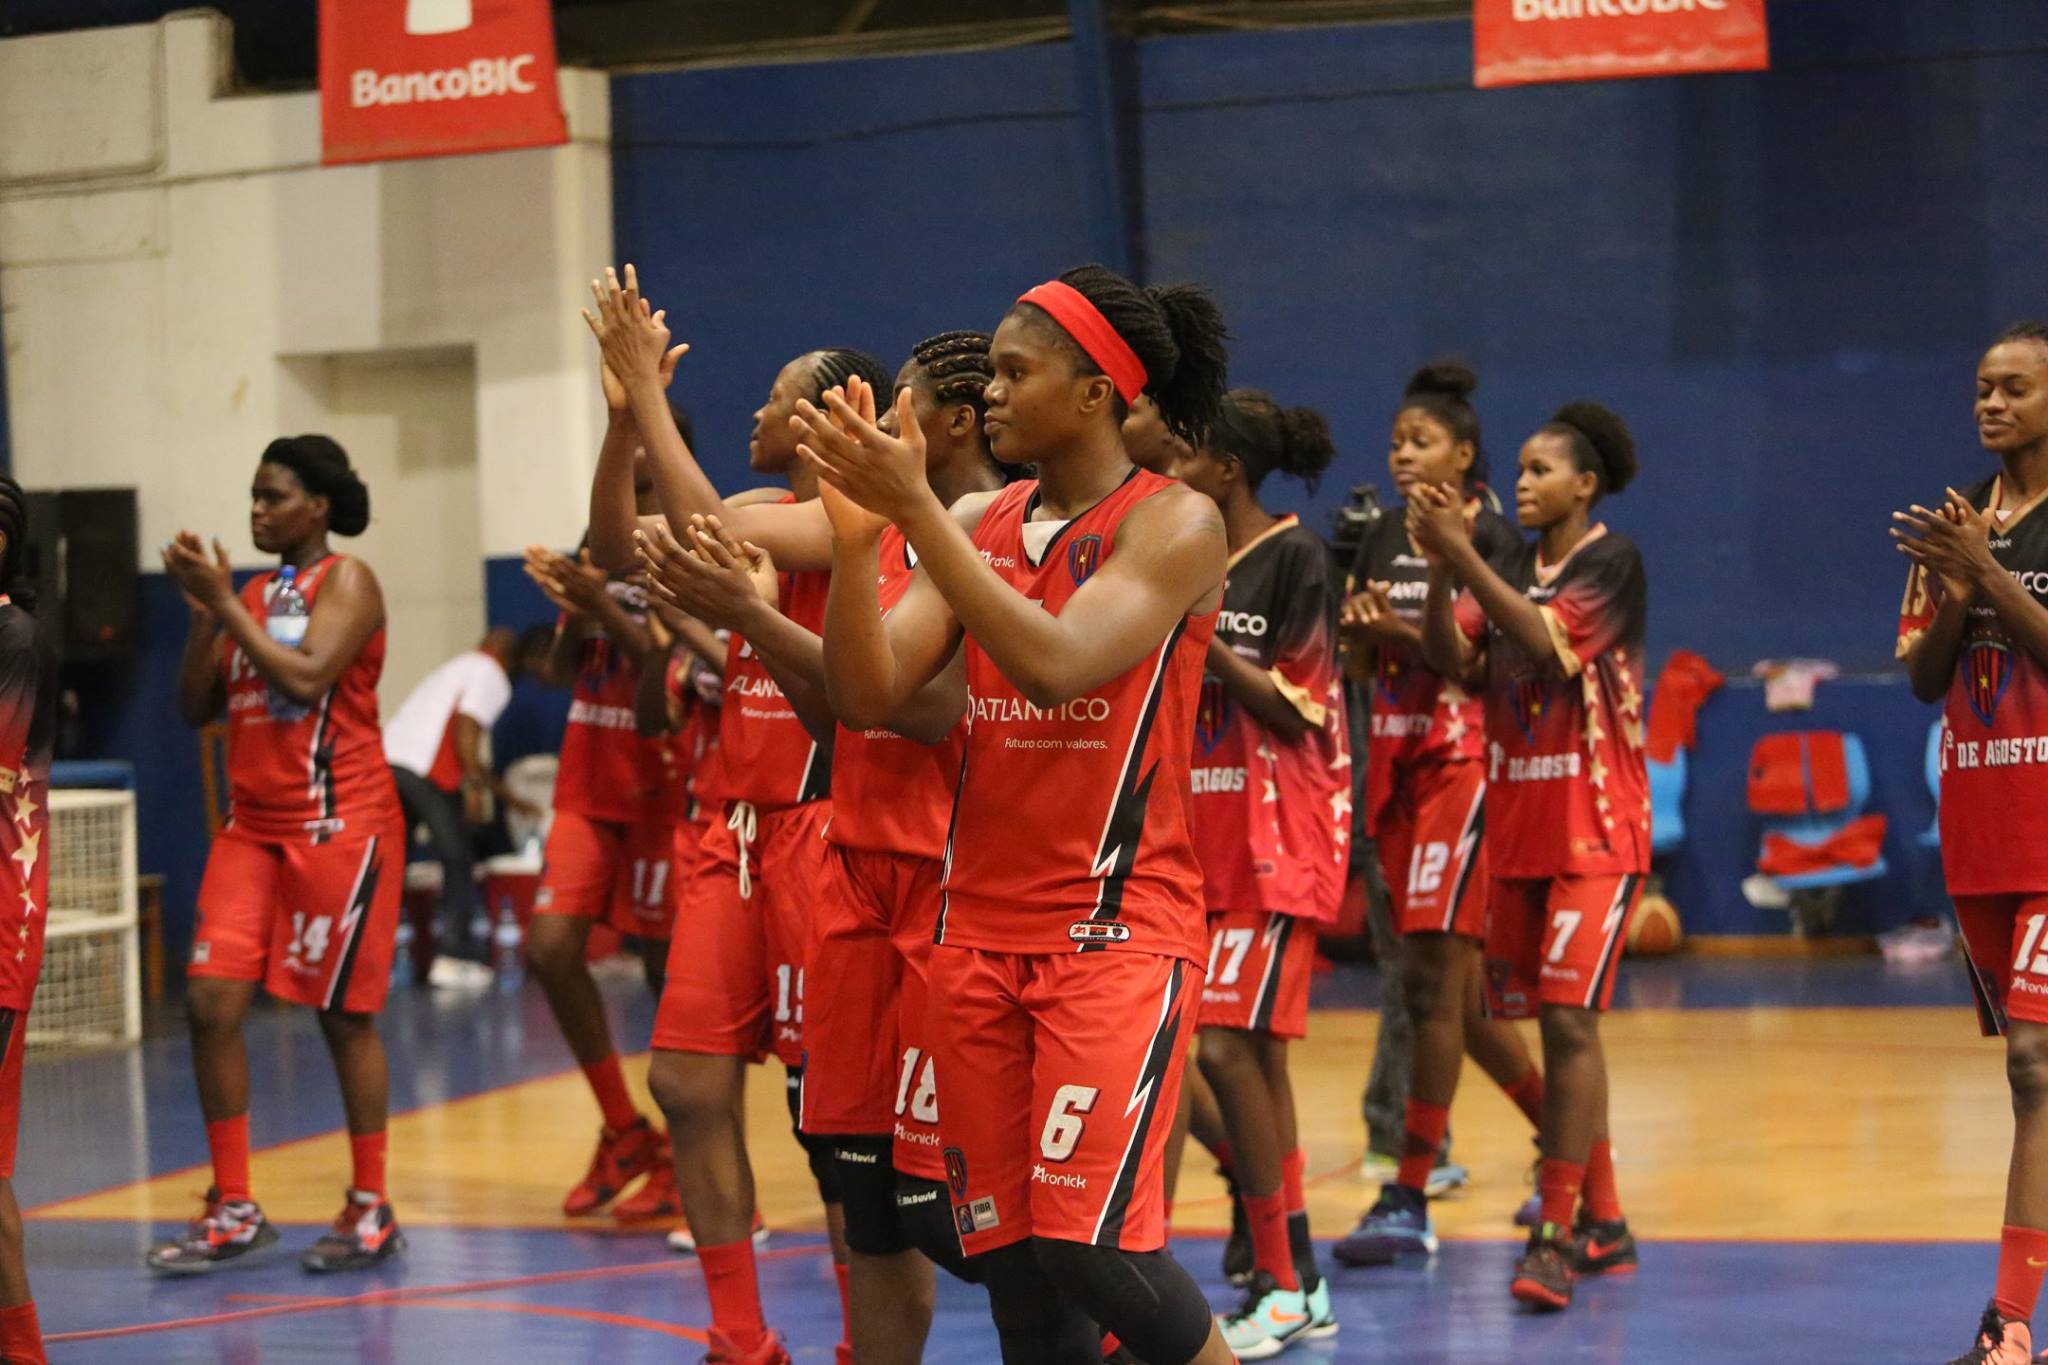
<point>435,77</point>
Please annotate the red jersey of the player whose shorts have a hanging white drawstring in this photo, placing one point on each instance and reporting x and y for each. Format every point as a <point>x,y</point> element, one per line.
<point>765,754</point>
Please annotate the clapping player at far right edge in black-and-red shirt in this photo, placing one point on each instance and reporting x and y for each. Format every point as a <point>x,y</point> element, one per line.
<point>1975,635</point>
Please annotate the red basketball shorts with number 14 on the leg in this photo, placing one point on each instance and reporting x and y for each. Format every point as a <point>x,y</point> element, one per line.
<point>312,922</point>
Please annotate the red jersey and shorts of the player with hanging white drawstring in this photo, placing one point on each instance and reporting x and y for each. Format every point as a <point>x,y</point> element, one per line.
<point>742,932</point>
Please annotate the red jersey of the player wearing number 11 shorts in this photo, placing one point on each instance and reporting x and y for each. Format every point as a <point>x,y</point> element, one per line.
<point>609,773</point>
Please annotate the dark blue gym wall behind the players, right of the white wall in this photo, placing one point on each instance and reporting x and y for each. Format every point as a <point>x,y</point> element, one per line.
<point>1781,279</point>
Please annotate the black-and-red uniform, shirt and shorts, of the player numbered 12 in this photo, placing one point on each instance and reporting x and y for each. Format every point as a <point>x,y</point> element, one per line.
<point>1426,773</point>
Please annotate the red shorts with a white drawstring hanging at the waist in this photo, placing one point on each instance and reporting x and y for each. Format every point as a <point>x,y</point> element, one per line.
<point>742,930</point>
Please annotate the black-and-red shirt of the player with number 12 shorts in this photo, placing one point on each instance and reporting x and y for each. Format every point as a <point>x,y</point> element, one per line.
<point>1418,717</point>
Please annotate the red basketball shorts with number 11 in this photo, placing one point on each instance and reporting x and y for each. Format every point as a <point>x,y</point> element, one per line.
<point>611,873</point>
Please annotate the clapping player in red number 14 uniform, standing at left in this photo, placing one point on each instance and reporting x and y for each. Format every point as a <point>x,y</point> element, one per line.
<point>302,889</point>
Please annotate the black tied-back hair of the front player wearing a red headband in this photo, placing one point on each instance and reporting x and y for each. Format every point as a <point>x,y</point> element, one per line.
<point>1179,337</point>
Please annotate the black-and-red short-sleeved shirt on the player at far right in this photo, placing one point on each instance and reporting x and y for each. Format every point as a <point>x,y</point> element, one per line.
<point>1996,744</point>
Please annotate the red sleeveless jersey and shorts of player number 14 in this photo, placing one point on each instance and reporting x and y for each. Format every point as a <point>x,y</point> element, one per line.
<point>302,887</point>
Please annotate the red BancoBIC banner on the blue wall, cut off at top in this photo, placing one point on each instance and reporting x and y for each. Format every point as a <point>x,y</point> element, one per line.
<point>1525,42</point>
